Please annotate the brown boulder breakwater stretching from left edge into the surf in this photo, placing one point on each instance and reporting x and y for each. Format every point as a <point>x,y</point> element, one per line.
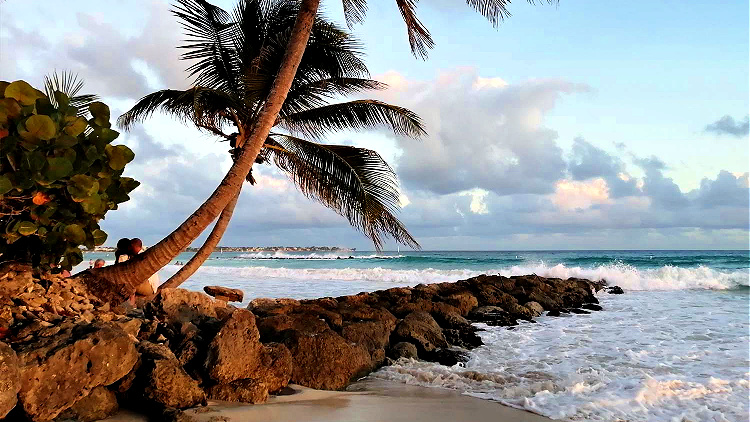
<point>66,355</point>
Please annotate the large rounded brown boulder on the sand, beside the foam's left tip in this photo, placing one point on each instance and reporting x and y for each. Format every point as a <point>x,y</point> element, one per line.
<point>326,360</point>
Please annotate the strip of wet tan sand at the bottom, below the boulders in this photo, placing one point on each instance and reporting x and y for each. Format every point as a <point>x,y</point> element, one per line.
<point>372,401</point>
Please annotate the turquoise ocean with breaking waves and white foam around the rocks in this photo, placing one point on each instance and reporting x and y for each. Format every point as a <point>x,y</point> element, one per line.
<point>675,347</point>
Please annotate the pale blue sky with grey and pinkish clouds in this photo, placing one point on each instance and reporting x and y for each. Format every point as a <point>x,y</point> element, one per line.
<point>581,125</point>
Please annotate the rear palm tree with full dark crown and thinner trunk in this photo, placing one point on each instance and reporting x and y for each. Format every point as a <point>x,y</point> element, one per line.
<point>354,182</point>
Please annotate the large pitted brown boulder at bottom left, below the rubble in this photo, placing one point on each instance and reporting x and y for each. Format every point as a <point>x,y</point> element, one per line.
<point>89,355</point>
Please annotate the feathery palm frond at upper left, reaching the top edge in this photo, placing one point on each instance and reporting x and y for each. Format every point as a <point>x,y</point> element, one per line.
<point>209,41</point>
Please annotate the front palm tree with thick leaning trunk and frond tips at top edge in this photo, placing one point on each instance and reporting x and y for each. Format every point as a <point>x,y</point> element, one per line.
<point>210,25</point>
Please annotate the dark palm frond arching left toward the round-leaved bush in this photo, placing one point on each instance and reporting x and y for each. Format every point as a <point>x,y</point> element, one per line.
<point>206,108</point>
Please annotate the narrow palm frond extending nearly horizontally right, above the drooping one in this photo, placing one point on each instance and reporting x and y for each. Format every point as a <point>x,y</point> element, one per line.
<point>353,115</point>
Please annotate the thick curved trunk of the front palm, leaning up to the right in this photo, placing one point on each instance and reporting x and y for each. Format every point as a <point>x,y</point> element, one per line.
<point>115,283</point>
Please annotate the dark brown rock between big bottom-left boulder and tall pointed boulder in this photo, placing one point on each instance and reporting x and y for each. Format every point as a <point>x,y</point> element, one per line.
<point>162,380</point>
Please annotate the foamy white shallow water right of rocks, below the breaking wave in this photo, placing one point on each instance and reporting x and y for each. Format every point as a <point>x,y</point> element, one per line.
<point>686,363</point>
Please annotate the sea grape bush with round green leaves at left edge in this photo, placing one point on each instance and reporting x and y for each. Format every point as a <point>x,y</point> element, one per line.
<point>59,175</point>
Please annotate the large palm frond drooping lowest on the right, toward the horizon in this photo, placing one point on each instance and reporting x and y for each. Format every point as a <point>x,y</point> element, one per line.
<point>354,182</point>
